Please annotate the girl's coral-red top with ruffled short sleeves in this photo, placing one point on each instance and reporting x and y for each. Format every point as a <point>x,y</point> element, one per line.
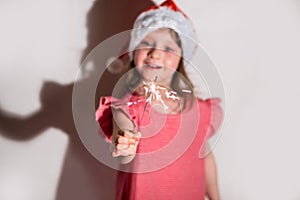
<point>167,164</point>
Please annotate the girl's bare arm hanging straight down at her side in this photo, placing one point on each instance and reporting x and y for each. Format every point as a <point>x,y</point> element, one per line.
<point>212,190</point>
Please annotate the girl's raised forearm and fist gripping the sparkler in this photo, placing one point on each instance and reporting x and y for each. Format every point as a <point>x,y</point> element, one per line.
<point>125,144</point>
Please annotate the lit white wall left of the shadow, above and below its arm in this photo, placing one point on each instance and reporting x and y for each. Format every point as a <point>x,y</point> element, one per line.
<point>40,41</point>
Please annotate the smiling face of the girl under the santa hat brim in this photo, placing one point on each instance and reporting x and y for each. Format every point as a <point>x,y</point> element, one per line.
<point>158,55</point>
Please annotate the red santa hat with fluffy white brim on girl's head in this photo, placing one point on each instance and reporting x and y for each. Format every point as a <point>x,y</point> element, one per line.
<point>165,15</point>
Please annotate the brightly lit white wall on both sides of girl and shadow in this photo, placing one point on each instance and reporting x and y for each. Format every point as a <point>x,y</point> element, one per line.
<point>255,45</point>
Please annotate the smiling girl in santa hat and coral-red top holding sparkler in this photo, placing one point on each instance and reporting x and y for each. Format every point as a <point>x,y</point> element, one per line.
<point>158,127</point>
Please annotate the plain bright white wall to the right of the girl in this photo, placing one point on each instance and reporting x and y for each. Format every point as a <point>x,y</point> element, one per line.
<point>256,47</point>
